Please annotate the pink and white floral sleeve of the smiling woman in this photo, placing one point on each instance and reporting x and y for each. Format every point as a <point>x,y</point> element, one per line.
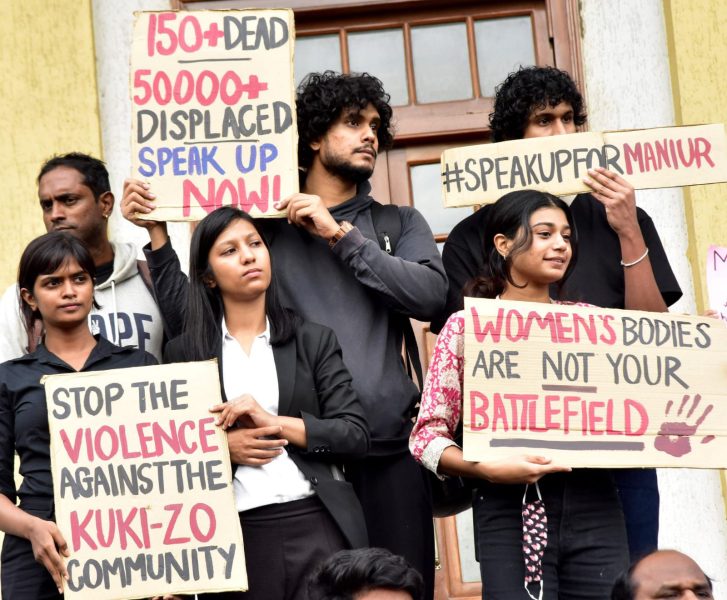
<point>441,405</point>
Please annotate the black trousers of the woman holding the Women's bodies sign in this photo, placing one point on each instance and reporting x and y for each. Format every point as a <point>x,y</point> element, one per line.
<point>587,546</point>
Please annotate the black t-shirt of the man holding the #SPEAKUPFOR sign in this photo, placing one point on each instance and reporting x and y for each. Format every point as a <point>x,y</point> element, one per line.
<point>598,276</point>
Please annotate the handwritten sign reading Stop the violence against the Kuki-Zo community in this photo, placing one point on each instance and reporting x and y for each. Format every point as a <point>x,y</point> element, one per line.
<point>142,482</point>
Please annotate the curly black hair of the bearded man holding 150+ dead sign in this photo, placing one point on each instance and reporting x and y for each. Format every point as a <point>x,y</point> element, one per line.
<point>322,97</point>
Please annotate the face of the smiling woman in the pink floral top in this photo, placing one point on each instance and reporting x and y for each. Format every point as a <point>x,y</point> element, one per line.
<point>546,259</point>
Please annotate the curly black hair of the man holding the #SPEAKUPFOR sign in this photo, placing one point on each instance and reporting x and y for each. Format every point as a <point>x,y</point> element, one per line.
<point>529,89</point>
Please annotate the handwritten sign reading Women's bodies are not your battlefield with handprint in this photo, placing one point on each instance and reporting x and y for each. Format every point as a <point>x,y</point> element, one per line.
<point>594,388</point>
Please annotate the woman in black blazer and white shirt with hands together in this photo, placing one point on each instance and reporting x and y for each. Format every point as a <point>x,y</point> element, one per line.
<point>293,399</point>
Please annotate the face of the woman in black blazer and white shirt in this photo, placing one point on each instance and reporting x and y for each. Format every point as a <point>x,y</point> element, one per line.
<point>240,263</point>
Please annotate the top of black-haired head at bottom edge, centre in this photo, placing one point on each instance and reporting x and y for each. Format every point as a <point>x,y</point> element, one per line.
<point>367,574</point>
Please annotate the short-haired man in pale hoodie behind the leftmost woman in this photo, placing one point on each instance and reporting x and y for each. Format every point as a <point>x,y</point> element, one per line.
<point>75,196</point>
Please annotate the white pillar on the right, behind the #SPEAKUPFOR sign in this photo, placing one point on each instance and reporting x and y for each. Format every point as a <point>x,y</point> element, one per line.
<point>628,86</point>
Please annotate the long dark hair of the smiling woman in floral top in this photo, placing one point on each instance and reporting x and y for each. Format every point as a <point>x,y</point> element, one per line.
<point>510,216</point>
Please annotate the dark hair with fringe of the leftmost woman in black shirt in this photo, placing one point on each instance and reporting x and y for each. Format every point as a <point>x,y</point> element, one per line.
<point>44,255</point>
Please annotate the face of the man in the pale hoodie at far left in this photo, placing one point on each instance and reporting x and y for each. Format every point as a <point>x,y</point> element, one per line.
<point>69,205</point>
